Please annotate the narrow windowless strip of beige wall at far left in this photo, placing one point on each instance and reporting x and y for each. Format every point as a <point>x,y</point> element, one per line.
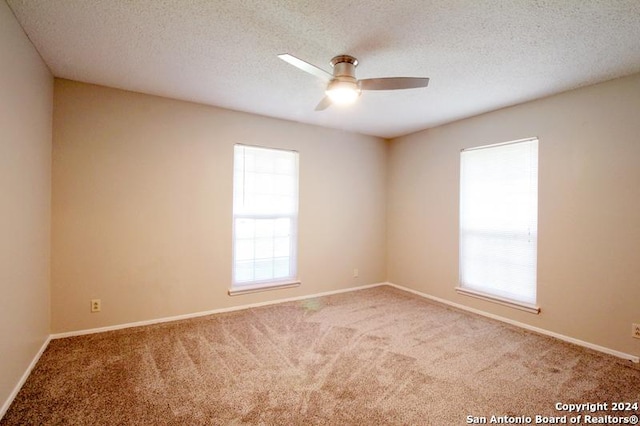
<point>26,99</point>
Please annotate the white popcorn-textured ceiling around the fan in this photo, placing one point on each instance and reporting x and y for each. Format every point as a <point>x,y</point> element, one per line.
<point>480,55</point>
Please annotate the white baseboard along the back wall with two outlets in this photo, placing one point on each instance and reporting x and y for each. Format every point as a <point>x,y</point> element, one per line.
<point>204,313</point>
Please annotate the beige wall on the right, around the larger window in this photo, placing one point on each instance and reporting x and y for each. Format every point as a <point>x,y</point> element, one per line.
<point>589,209</point>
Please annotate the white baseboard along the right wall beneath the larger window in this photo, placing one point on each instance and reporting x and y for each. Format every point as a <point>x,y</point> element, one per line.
<point>559,336</point>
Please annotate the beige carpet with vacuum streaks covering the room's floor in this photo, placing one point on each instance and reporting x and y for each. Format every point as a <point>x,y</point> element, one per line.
<point>375,356</point>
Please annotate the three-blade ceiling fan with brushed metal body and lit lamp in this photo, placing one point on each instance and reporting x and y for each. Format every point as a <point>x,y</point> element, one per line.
<point>342,85</point>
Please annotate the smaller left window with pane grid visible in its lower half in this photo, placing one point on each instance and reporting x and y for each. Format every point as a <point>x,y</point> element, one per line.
<point>265,218</point>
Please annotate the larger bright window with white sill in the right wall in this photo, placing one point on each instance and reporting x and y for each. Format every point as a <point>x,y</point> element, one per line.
<point>499,223</point>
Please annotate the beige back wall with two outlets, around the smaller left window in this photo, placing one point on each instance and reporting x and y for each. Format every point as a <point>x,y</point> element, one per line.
<point>142,191</point>
